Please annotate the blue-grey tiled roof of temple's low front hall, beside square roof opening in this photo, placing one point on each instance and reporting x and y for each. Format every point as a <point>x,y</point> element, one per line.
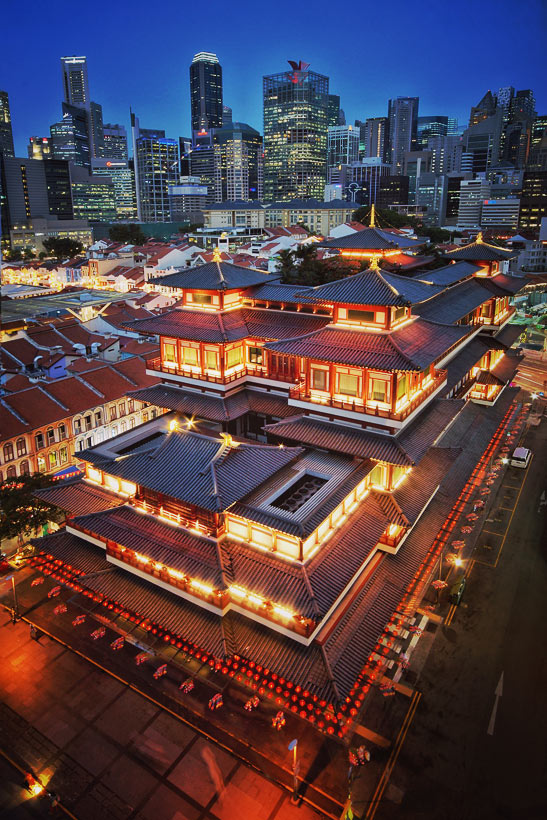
<point>197,469</point>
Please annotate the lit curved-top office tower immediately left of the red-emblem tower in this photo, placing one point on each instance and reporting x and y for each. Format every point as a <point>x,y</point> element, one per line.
<point>241,161</point>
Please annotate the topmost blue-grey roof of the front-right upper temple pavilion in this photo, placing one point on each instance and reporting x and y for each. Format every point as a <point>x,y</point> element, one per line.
<point>372,287</point>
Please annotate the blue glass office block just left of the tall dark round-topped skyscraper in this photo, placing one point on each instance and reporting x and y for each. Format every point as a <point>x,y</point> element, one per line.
<point>156,161</point>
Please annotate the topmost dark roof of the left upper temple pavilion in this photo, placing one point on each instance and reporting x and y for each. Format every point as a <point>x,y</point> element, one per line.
<point>213,276</point>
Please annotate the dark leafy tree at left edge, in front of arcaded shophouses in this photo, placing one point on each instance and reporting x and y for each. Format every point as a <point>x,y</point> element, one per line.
<point>20,512</point>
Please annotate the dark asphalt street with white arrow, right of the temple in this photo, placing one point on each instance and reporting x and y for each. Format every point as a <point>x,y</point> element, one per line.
<point>471,754</point>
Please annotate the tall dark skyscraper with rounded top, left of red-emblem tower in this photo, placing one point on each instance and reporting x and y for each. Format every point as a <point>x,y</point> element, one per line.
<point>206,91</point>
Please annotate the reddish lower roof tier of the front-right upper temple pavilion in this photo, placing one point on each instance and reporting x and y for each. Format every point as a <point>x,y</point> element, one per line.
<point>412,347</point>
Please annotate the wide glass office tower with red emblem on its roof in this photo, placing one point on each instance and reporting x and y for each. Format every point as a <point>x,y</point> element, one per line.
<point>295,133</point>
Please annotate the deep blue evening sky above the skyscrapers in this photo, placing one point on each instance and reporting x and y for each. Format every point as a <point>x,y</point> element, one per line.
<point>139,52</point>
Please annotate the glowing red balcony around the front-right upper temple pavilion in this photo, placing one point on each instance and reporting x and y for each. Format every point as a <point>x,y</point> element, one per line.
<point>367,408</point>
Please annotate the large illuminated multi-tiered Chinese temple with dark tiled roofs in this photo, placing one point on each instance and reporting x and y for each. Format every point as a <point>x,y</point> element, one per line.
<point>297,448</point>
